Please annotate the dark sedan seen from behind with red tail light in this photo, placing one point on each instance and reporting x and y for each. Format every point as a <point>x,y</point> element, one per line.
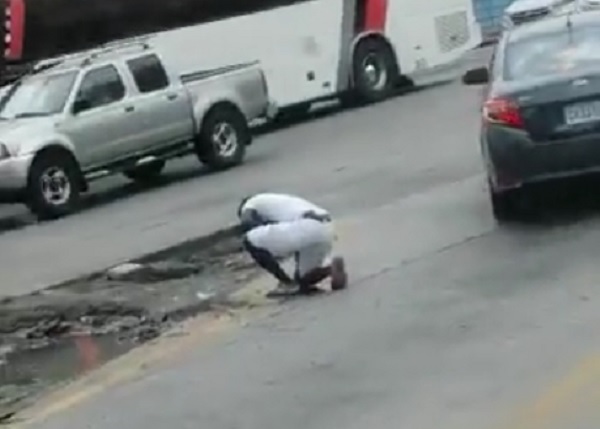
<point>541,108</point>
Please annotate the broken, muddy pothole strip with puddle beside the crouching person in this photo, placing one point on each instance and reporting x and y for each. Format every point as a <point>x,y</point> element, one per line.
<point>53,335</point>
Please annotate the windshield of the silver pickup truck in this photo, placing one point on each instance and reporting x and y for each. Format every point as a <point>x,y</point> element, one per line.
<point>37,96</point>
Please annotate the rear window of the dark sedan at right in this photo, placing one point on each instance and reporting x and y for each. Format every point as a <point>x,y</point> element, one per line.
<point>553,53</point>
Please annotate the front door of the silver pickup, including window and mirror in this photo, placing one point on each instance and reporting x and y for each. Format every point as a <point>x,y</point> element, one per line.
<point>104,125</point>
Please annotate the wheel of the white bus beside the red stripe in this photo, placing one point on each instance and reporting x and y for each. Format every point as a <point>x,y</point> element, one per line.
<point>374,69</point>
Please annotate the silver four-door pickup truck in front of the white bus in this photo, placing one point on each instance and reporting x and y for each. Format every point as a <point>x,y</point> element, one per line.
<point>118,110</point>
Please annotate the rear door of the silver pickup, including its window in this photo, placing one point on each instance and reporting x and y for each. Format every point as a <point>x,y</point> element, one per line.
<point>164,107</point>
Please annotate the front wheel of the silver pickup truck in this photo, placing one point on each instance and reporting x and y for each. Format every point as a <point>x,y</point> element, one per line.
<point>53,186</point>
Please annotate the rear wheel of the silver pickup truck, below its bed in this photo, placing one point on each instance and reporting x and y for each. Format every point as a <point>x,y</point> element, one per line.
<point>223,138</point>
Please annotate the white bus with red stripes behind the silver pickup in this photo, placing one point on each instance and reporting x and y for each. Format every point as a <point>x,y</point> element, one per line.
<point>310,50</point>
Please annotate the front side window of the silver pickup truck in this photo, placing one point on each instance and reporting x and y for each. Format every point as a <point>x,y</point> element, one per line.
<point>100,87</point>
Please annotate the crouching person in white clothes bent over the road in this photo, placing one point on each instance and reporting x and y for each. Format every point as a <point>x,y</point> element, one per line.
<point>279,226</point>
